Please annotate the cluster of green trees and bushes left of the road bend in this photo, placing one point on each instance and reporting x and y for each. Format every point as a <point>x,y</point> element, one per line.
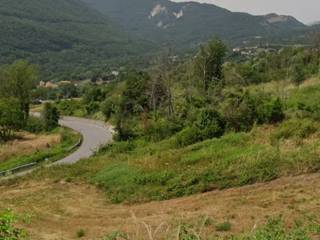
<point>16,83</point>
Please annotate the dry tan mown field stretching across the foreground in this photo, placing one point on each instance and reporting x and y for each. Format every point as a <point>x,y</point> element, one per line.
<point>59,209</point>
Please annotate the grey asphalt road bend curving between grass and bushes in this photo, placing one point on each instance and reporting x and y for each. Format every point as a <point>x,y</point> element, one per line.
<point>94,135</point>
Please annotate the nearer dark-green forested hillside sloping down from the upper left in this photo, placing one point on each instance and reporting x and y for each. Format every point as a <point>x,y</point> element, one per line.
<point>65,37</point>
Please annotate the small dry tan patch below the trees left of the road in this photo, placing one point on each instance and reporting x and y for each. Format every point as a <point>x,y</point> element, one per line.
<point>26,144</point>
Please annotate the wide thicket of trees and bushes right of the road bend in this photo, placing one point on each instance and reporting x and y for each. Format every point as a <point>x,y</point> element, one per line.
<point>200,99</point>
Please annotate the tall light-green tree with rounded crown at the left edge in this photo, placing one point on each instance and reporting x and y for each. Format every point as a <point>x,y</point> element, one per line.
<point>17,80</point>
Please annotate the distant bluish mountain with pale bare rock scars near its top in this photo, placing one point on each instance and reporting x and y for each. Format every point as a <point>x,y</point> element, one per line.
<point>187,24</point>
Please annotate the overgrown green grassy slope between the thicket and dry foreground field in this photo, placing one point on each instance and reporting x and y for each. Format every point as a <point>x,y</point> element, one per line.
<point>141,171</point>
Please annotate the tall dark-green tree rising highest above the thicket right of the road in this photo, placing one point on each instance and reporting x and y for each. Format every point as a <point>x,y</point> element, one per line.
<point>208,63</point>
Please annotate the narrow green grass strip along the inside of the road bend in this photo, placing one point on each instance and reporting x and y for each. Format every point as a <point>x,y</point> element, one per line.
<point>55,152</point>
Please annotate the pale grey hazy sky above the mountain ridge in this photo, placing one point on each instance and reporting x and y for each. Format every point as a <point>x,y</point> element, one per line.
<point>307,11</point>
